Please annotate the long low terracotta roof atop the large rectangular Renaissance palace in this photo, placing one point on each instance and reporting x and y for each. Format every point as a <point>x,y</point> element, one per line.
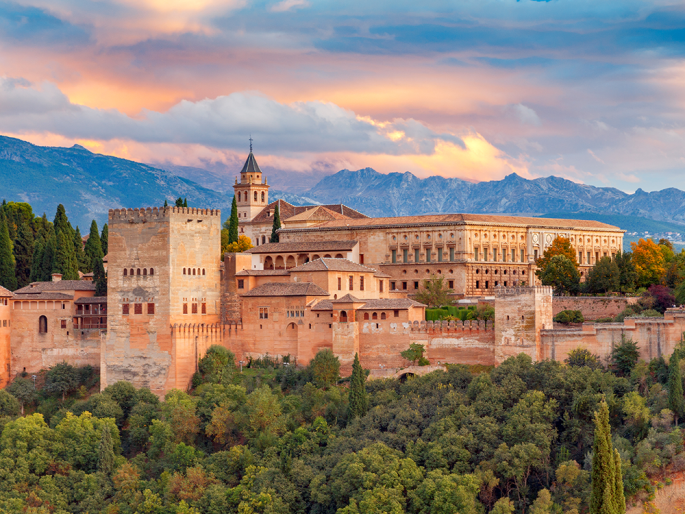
<point>460,219</point>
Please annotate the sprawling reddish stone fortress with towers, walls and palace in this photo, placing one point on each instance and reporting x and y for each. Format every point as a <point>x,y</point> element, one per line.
<point>337,279</point>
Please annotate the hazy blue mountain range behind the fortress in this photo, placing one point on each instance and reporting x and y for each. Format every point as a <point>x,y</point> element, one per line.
<point>89,184</point>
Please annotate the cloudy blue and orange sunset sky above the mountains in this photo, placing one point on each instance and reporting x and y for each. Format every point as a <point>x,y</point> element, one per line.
<point>473,89</point>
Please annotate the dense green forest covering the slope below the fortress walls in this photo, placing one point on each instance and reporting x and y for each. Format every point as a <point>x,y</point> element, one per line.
<point>275,437</point>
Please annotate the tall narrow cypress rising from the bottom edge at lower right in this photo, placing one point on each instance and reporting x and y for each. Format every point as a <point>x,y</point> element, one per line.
<point>607,481</point>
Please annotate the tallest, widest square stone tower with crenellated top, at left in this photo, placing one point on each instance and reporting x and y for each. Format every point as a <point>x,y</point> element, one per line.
<point>163,295</point>
